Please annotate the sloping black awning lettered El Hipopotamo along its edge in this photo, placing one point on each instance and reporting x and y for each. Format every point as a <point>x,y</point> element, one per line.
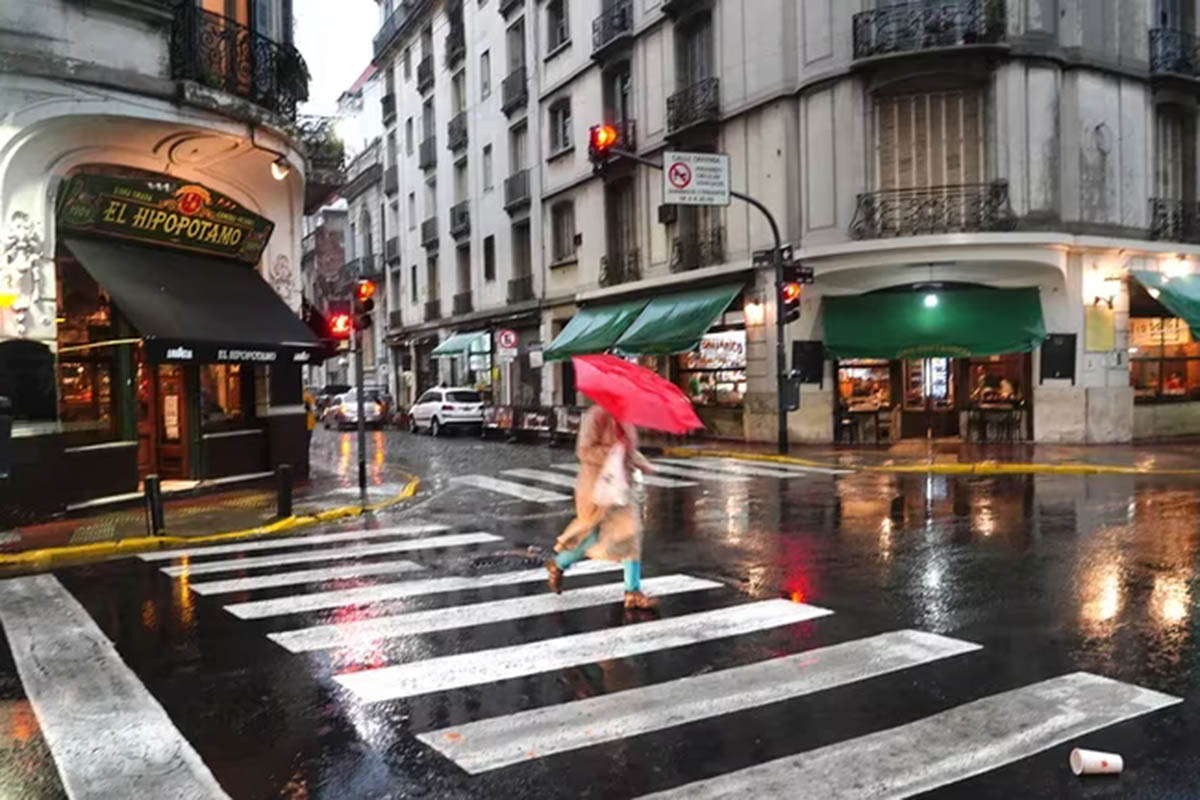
<point>197,309</point>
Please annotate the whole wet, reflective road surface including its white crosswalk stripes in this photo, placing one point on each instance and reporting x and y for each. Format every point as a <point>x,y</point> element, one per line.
<point>820,635</point>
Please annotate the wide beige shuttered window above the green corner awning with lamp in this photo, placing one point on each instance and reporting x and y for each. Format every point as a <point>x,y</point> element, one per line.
<point>933,140</point>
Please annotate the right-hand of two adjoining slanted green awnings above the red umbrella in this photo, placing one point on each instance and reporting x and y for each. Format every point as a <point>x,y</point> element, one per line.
<point>675,323</point>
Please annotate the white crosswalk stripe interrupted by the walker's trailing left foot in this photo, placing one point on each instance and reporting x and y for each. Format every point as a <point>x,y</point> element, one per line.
<point>401,591</point>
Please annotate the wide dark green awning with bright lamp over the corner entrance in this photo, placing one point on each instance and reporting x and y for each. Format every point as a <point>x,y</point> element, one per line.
<point>909,324</point>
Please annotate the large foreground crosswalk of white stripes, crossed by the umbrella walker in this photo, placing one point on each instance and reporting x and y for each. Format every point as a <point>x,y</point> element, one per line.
<point>298,605</point>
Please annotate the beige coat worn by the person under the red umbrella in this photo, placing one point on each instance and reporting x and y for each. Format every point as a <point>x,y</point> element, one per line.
<point>621,527</point>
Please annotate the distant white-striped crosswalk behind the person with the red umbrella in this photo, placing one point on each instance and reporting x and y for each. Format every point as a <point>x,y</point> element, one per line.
<point>530,484</point>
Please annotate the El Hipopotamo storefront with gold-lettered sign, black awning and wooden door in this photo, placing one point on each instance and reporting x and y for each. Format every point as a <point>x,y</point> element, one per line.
<point>173,356</point>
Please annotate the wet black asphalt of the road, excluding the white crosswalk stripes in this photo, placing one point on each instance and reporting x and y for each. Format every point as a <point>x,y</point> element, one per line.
<point>1051,575</point>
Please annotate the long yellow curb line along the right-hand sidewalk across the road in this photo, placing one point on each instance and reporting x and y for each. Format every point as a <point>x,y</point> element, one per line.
<point>938,468</point>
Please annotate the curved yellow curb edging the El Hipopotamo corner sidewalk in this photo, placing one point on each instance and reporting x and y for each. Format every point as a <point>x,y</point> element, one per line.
<point>50,557</point>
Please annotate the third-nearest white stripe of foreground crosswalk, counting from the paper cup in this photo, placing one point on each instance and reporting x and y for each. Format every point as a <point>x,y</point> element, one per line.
<point>489,666</point>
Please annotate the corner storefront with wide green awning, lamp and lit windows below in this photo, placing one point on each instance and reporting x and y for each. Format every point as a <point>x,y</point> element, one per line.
<point>945,362</point>
